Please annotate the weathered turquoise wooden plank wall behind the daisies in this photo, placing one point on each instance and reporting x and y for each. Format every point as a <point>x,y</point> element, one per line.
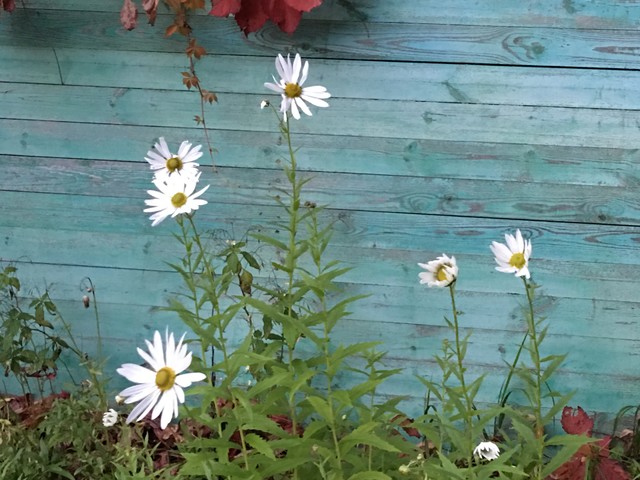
<point>451,123</point>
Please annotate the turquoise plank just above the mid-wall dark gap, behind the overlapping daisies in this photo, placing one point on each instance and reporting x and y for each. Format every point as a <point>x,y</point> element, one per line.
<point>501,198</point>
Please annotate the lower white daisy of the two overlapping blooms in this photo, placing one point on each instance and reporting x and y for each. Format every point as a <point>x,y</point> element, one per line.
<point>174,197</point>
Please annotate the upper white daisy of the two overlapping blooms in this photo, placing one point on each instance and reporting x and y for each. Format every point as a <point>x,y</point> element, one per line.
<point>167,164</point>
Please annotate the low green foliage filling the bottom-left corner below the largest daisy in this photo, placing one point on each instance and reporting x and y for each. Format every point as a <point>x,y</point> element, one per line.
<point>65,439</point>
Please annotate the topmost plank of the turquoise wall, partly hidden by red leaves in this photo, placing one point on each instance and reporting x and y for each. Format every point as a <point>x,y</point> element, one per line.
<point>607,14</point>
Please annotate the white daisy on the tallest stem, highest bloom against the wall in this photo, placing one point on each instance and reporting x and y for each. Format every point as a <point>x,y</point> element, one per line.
<point>294,95</point>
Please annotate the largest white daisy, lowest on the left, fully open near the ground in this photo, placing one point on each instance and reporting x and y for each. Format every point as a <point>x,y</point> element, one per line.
<point>159,388</point>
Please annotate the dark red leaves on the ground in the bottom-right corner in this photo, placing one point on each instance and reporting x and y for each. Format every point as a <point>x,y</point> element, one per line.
<point>594,456</point>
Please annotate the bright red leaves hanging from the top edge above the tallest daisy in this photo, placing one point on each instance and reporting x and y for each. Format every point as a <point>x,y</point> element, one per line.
<point>251,15</point>
